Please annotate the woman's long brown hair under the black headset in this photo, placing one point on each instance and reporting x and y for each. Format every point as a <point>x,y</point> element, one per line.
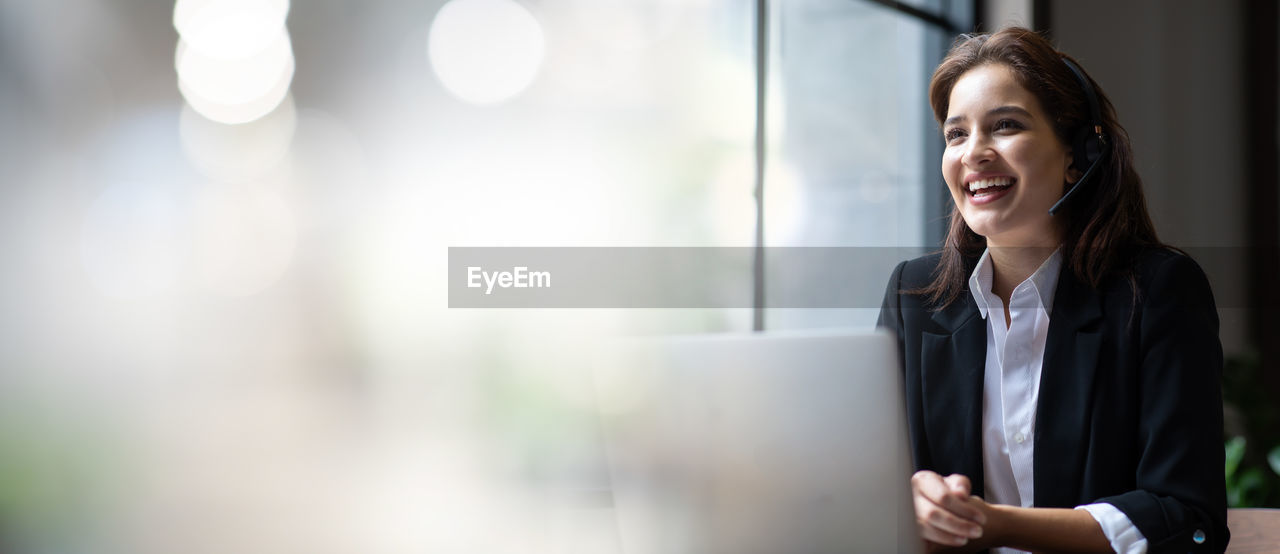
<point>1107,222</point>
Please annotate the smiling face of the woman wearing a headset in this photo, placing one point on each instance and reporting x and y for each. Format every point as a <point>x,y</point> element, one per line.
<point>1004,164</point>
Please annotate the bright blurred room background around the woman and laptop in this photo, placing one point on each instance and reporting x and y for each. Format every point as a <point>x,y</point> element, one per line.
<point>226,227</point>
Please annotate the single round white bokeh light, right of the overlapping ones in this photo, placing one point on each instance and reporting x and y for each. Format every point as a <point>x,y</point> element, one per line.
<point>486,52</point>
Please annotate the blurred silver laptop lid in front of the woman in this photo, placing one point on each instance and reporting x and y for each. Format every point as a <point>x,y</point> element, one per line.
<point>762,443</point>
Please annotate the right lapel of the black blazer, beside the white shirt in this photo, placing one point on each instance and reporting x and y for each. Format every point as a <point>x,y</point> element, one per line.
<point>1066,392</point>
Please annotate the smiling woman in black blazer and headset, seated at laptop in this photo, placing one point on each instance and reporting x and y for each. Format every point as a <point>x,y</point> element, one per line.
<point>1062,370</point>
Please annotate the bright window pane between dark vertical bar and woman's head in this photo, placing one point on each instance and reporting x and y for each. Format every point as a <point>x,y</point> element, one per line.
<point>856,162</point>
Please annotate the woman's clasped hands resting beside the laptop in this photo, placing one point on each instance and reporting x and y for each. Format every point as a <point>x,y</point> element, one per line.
<point>944,510</point>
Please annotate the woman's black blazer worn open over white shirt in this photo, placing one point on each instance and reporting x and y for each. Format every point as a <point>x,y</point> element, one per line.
<point>1131,406</point>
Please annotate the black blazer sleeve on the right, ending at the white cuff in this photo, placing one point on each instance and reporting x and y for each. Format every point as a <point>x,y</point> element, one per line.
<point>1181,498</point>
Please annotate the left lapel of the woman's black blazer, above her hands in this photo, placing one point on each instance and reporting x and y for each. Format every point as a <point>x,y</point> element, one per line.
<point>953,361</point>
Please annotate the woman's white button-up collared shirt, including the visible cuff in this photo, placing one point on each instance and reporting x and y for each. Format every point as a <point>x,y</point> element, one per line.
<point>1011,392</point>
